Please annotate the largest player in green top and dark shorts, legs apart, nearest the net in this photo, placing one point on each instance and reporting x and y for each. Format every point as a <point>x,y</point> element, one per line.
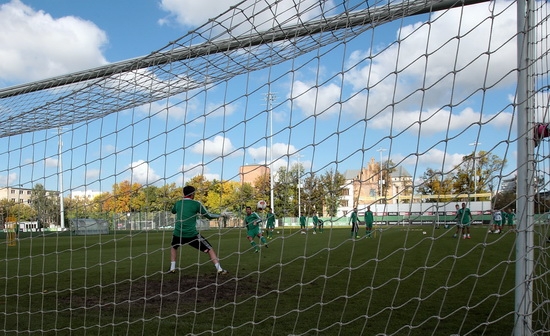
<point>187,211</point>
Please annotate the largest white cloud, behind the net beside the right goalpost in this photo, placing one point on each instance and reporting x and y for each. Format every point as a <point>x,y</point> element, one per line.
<point>407,83</point>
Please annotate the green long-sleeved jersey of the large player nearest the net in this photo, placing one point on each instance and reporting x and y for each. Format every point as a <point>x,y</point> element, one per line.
<point>187,211</point>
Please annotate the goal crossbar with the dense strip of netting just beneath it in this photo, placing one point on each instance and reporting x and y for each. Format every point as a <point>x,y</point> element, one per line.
<point>86,103</point>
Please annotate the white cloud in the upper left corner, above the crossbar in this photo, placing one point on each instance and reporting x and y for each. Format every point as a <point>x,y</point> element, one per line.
<point>34,45</point>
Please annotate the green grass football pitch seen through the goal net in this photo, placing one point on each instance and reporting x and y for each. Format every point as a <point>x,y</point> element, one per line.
<point>401,282</point>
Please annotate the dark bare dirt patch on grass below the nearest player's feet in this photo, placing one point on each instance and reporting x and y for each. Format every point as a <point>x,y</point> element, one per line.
<point>165,291</point>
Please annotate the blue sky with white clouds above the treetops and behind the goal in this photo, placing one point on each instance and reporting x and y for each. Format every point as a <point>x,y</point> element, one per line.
<point>322,118</point>
